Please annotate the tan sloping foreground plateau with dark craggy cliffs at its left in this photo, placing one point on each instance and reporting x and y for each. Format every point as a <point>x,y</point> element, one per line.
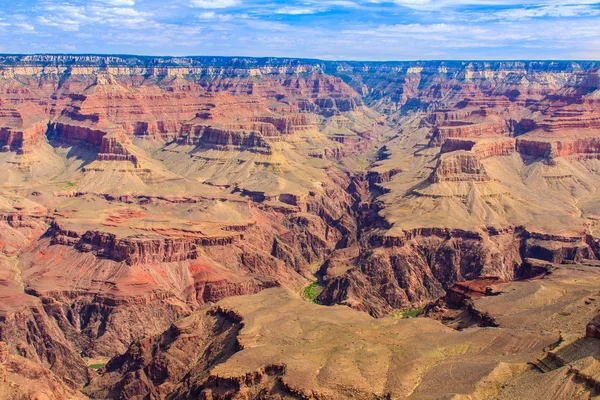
<point>274,344</point>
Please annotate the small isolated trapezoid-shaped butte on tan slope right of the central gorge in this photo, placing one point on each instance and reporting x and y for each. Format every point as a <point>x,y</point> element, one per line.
<point>459,166</point>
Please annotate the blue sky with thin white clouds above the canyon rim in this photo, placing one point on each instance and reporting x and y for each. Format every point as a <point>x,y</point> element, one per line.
<point>324,29</point>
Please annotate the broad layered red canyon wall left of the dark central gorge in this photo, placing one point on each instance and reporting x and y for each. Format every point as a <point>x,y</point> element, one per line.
<point>203,185</point>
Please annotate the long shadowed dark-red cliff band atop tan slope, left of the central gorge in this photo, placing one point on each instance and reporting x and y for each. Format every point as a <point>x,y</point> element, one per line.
<point>224,138</point>
